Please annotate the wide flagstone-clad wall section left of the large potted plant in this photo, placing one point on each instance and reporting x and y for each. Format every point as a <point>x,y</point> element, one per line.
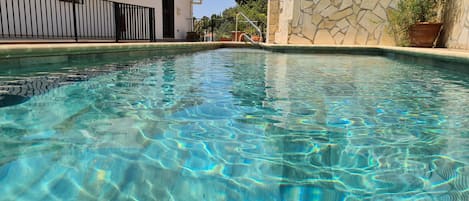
<point>342,22</point>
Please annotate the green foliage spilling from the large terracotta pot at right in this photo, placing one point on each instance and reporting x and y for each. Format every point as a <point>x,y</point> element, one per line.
<point>410,12</point>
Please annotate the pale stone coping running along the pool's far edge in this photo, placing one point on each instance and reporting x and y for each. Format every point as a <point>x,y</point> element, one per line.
<point>420,55</point>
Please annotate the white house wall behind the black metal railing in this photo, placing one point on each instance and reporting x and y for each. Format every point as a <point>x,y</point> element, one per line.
<point>62,24</point>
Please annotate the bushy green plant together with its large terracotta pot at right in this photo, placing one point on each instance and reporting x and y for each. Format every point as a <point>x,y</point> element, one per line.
<point>417,23</point>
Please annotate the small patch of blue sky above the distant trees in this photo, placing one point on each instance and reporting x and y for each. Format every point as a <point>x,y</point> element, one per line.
<point>210,7</point>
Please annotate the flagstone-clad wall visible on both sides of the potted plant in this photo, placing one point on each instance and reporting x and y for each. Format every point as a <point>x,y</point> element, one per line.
<point>353,22</point>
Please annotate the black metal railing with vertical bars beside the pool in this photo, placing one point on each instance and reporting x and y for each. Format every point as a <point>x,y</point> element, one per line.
<point>78,20</point>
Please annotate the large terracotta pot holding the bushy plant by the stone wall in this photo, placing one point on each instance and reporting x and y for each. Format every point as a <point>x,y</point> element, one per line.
<point>424,34</point>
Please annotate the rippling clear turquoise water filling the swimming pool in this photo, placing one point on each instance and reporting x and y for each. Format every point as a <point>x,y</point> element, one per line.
<point>240,124</point>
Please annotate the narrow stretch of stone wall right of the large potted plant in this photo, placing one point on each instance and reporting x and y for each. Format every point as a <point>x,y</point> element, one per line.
<point>456,28</point>
